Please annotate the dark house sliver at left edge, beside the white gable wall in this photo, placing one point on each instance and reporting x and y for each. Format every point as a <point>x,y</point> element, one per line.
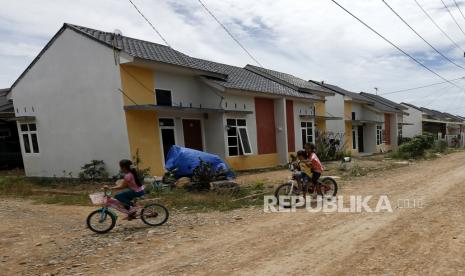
<point>10,150</point>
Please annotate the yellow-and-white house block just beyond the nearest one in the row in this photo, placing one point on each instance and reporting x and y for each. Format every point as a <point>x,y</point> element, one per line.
<point>367,124</point>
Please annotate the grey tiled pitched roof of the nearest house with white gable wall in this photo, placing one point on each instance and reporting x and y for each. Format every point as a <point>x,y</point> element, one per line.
<point>228,76</point>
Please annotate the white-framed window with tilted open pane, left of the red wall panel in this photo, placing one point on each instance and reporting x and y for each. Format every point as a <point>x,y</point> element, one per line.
<point>238,137</point>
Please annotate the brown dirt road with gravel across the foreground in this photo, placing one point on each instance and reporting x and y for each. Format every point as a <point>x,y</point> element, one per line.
<point>49,239</point>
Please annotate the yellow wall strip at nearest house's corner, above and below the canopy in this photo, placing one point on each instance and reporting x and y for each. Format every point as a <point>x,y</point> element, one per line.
<point>143,131</point>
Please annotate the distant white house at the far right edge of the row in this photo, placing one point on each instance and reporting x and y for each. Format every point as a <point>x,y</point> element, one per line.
<point>441,124</point>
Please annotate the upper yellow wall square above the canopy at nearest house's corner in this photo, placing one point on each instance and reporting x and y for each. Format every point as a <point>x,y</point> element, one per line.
<point>138,84</point>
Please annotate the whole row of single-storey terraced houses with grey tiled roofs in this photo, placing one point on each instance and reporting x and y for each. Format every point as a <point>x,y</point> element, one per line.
<point>91,95</point>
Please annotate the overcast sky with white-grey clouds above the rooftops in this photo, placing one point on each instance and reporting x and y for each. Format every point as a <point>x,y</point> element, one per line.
<point>311,39</point>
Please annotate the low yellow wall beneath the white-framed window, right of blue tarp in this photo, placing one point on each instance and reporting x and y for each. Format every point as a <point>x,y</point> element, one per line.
<point>247,162</point>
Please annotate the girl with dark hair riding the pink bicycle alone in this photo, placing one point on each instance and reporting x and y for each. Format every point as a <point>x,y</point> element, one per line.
<point>132,185</point>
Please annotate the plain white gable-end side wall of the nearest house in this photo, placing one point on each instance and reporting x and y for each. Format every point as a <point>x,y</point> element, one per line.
<point>72,91</point>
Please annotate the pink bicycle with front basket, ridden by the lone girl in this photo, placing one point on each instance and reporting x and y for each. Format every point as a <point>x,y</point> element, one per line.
<point>104,219</point>
